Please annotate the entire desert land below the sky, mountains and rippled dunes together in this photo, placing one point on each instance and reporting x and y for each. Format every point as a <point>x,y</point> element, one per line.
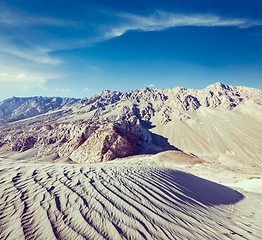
<point>146,164</point>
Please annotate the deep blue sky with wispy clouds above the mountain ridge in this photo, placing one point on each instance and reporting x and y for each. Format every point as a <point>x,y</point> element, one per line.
<point>79,48</point>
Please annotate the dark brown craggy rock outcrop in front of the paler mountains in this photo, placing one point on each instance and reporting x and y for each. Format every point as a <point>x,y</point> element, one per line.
<point>87,141</point>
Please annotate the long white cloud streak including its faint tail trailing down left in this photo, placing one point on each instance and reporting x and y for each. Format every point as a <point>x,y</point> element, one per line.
<point>158,21</point>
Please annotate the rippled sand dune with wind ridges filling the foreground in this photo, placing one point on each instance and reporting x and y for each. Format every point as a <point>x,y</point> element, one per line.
<point>107,201</point>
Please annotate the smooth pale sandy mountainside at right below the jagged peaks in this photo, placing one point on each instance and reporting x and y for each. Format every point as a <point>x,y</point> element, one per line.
<point>226,137</point>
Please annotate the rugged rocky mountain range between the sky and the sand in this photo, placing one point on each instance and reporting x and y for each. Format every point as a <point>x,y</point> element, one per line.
<point>216,123</point>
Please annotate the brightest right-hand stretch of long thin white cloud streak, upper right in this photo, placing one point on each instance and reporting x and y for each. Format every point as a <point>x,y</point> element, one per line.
<point>164,20</point>
